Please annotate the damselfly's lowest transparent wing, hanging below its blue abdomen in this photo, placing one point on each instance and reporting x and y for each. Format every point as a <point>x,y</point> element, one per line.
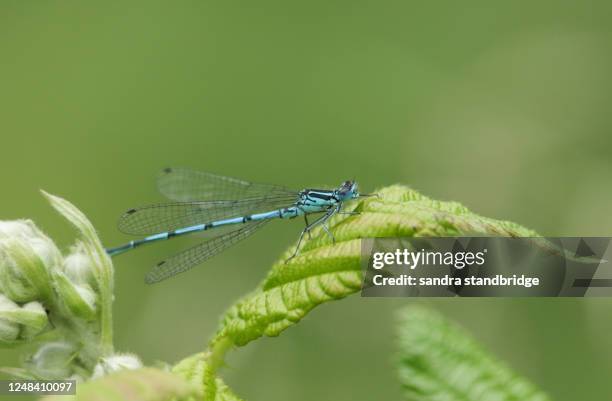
<point>192,257</point>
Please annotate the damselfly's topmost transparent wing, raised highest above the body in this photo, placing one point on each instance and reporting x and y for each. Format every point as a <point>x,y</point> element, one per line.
<point>184,185</point>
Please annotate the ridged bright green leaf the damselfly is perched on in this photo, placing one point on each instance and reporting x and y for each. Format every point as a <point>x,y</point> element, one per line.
<point>324,271</point>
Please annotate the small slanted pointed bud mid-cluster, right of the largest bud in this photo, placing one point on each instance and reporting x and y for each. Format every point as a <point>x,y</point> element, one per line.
<point>80,300</point>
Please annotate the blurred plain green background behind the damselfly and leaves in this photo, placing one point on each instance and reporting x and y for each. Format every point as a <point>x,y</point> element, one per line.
<point>503,106</point>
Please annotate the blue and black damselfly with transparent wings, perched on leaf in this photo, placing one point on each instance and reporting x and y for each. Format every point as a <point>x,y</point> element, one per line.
<point>226,210</point>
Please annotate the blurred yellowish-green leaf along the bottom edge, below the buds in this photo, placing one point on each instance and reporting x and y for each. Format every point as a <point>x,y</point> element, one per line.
<point>145,384</point>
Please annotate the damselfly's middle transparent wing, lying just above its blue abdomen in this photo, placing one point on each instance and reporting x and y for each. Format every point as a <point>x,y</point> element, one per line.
<point>159,218</point>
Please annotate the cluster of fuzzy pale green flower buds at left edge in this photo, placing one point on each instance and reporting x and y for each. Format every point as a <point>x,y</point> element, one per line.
<point>63,303</point>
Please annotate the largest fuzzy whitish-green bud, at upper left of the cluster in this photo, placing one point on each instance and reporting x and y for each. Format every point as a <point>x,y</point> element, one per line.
<point>26,257</point>
